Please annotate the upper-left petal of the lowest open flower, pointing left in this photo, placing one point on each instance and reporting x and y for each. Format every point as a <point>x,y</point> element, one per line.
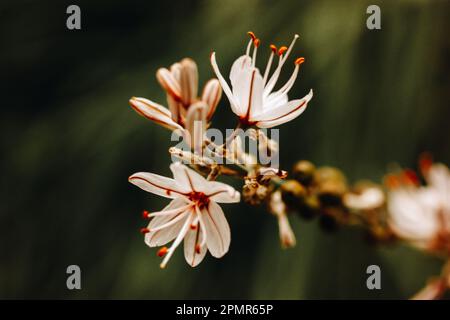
<point>158,185</point>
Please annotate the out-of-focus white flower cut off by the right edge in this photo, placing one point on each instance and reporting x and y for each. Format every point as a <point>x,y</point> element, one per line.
<point>421,214</point>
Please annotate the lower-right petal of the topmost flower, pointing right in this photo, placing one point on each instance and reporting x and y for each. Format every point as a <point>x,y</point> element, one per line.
<point>283,114</point>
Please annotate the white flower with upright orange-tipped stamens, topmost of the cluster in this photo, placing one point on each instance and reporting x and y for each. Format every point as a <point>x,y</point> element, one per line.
<point>251,94</point>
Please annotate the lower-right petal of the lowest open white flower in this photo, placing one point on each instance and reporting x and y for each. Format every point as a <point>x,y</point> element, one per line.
<point>217,230</point>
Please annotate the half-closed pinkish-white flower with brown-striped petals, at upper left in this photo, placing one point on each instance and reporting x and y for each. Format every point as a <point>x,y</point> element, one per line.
<point>181,85</point>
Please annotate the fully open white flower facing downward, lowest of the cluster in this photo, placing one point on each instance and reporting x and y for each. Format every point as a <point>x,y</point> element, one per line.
<point>192,215</point>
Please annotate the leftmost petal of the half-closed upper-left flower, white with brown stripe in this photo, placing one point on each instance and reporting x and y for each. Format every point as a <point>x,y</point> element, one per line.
<point>155,112</point>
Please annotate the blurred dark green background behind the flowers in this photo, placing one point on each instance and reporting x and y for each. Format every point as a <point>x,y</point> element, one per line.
<point>69,141</point>
